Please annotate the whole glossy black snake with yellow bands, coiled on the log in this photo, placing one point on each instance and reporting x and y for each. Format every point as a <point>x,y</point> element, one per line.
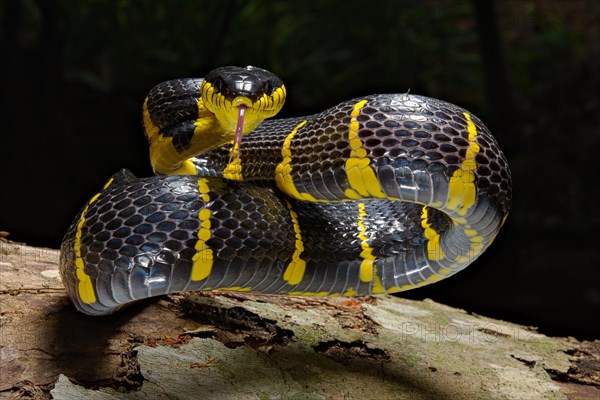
<point>378,194</point>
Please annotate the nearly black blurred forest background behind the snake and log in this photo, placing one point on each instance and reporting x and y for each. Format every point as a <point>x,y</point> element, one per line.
<point>74,75</point>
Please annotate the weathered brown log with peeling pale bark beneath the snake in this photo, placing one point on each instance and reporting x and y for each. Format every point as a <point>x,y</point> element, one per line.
<point>234,346</point>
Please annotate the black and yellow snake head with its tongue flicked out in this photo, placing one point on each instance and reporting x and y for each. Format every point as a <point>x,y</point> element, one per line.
<point>242,97</point>
